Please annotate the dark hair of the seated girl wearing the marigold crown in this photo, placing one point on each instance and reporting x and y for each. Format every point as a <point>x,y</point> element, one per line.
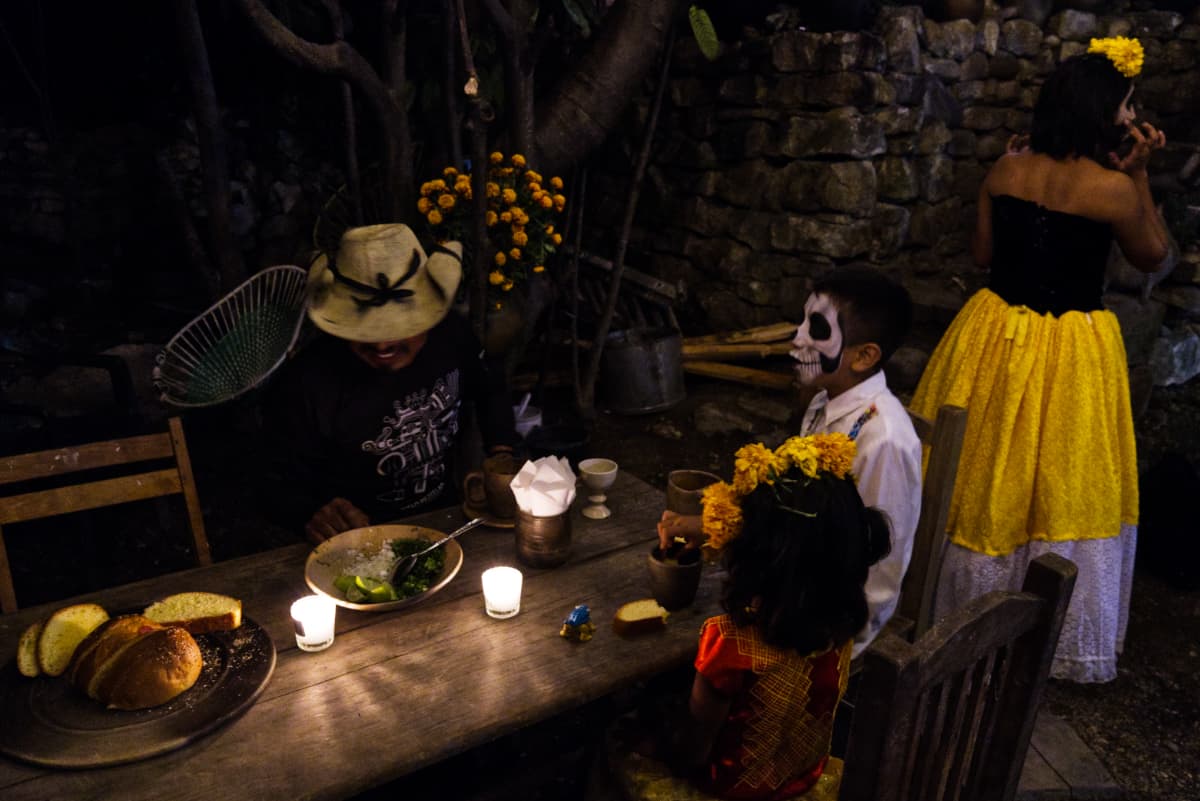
<point>797,570</point>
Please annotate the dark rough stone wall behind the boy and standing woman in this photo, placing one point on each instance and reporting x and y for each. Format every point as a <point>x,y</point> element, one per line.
<point>797,150</point>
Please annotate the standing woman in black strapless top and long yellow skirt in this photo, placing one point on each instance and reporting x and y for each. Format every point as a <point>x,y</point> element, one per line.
<point>1049,461</point>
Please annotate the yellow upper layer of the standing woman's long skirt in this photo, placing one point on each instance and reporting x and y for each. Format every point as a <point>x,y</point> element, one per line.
<point>1049,453</point>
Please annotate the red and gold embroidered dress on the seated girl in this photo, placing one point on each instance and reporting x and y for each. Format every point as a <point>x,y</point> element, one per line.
<point>776,743</point>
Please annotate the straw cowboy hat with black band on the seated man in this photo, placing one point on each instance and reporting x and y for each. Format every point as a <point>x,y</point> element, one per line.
<point>381,287</point>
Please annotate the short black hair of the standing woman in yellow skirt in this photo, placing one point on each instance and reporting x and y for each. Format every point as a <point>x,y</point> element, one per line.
<point>1077,107</point>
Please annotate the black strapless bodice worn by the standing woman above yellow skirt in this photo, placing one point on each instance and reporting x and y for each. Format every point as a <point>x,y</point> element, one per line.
<point>1048,261</point>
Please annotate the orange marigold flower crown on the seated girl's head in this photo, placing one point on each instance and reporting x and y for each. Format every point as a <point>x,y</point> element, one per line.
<point>757,465</point>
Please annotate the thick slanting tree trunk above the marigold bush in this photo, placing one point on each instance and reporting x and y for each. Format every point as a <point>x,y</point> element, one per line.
<point>592,100</point>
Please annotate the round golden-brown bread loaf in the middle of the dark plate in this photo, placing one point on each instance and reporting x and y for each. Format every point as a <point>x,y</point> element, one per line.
<point>133,663</point>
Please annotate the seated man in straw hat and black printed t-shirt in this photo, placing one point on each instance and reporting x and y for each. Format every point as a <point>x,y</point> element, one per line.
<point>363,426</point>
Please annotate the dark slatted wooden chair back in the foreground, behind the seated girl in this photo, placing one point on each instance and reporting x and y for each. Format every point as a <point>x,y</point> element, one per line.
<point>951,715</point>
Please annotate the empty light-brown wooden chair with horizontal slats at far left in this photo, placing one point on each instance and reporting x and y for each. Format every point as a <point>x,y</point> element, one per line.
<point>45,467</point>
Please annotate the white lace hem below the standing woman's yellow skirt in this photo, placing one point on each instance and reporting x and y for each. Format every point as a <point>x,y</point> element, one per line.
<point>1094,633</point>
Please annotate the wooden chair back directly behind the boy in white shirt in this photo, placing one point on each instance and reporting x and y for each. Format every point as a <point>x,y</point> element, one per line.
<point>944,437</point>
